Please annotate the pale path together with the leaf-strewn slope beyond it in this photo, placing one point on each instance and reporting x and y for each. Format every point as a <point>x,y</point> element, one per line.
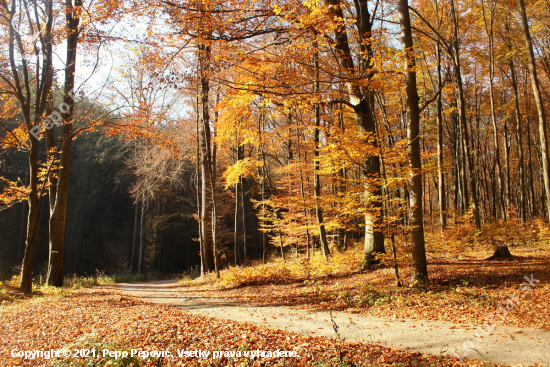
<point>494,311</point>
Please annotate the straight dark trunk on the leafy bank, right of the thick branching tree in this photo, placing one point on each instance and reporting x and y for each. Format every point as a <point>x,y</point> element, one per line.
<point>420,272</point>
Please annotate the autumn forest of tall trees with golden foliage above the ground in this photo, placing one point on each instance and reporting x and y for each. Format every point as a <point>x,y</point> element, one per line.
<point>244,141</point>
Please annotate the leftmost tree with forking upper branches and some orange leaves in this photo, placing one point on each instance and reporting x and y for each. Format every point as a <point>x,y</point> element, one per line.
<point>29,77</point>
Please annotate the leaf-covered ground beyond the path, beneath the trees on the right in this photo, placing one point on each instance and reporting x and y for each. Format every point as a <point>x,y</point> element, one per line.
<point>463,289</point>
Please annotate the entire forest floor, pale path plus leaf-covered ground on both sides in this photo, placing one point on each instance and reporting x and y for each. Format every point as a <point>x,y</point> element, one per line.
<point>349,319</point>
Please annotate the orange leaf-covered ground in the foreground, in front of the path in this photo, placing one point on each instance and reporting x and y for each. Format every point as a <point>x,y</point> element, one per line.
<point>91,319</point>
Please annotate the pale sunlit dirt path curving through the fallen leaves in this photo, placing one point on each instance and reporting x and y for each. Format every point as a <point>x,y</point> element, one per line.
<point>506,345</point>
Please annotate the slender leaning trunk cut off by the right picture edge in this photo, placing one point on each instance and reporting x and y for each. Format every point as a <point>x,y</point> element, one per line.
<point>538,102</point>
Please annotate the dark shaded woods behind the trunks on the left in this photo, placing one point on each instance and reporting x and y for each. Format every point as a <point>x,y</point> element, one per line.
<point>101,217</point>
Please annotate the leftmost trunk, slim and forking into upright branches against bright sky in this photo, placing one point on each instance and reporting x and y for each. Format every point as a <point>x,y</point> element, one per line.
<point>32,89</point>
